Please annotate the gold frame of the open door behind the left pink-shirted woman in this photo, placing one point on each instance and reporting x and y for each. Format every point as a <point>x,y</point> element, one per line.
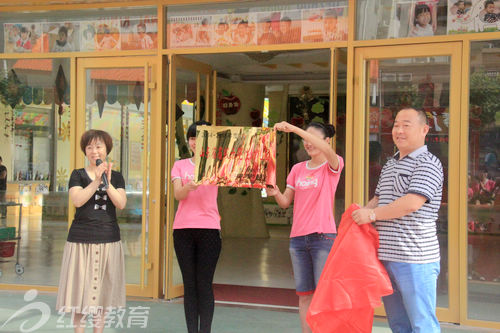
<point>177,61</point>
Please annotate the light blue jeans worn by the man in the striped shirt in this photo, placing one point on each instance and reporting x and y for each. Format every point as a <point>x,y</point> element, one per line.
<point>412,306</point>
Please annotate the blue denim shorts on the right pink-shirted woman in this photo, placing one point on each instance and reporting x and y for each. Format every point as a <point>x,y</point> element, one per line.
<point>309,254</point>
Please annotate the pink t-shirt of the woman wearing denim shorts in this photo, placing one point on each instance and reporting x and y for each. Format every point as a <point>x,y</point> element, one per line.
<point>314,196</point>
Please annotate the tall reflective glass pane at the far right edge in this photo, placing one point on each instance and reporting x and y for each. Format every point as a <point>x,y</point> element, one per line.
<point>483,218</point>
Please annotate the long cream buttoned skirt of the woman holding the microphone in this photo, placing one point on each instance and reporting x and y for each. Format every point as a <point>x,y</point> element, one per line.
<point>92,278</point>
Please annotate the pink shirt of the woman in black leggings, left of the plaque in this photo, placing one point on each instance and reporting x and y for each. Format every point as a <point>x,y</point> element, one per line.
<point>199,208</point>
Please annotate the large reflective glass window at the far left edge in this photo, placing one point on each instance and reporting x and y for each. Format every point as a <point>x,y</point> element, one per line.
<point>35,149</point>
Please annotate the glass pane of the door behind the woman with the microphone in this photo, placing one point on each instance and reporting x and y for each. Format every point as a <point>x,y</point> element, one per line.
<point>115,102</point>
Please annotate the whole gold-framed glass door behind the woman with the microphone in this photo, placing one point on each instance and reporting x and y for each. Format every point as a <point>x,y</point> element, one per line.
<point>118,97</point>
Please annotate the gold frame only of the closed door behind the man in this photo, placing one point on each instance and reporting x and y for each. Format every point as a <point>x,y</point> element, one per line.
<point>358,156</point>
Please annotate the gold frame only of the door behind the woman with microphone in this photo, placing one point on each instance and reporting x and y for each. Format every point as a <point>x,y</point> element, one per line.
<point>148,285</point>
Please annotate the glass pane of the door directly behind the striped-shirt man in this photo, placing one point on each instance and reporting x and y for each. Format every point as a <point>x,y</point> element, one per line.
<point>422,83</point>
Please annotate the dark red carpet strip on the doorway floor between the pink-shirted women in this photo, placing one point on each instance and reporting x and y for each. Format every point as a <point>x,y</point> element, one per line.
<point>258,295</point>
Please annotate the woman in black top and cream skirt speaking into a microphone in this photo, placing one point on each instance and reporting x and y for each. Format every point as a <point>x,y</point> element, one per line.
<point>92,277</point>
